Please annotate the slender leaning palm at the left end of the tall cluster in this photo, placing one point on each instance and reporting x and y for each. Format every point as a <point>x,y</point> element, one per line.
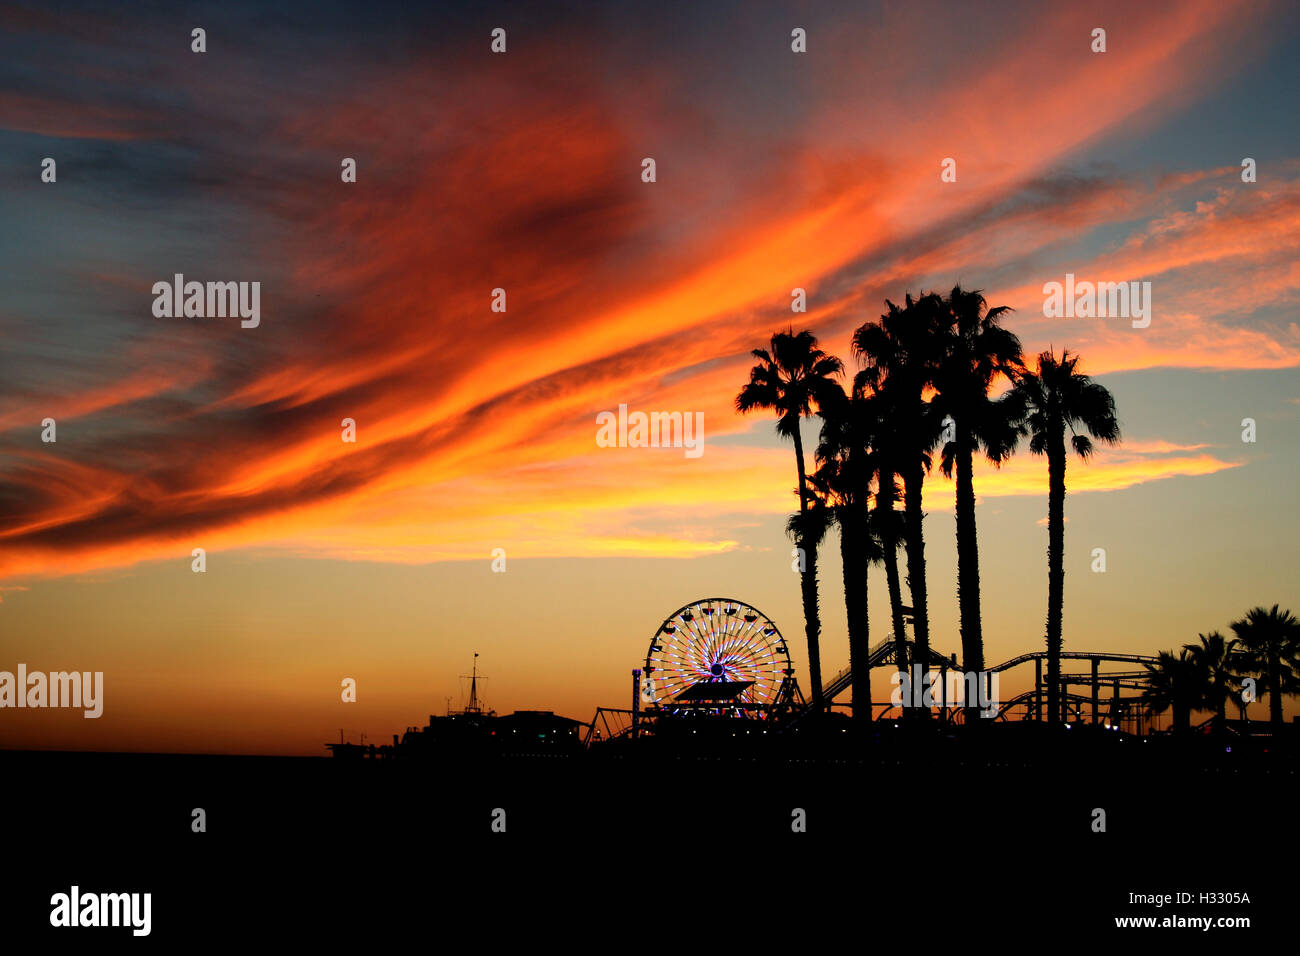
<point>791,379</point>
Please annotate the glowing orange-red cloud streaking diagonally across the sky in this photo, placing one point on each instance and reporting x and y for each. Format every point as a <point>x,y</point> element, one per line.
<point>478,427</point>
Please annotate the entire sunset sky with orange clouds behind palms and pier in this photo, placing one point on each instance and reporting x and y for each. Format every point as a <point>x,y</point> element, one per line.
<point>476,430</point>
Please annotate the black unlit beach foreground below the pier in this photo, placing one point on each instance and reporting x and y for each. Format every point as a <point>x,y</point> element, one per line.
<point>665,843</point>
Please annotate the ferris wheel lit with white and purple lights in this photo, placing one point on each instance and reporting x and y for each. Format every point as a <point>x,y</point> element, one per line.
<point>717,650</point>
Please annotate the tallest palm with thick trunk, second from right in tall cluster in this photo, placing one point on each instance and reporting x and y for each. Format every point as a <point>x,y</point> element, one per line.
<point>977,353</point>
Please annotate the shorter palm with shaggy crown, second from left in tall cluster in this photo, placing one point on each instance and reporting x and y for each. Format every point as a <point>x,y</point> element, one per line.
<point>843,481</point>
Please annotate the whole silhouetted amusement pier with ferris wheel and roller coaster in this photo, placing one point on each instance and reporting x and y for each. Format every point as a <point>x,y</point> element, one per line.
<point>720,668</point>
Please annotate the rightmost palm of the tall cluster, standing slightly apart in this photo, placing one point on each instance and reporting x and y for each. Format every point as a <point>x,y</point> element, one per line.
<point>1058,397</point>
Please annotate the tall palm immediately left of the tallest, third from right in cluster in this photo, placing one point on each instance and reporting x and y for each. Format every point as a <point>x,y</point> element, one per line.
<point>900,357</point>
